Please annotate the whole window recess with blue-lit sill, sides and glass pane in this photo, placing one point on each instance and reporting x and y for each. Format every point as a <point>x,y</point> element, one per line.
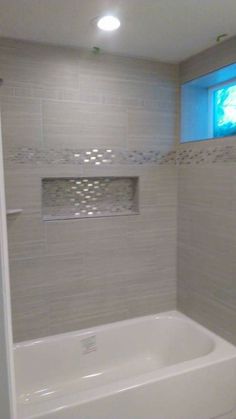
<point>208,106</point>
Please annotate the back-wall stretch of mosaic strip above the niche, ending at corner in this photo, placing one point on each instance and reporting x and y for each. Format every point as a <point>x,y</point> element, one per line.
<point>95,157</point>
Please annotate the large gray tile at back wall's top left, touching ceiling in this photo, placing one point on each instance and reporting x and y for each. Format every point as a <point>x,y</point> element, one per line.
<point>40,65</point>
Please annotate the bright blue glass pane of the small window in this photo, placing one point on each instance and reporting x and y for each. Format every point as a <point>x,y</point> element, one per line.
<point>224,103</point>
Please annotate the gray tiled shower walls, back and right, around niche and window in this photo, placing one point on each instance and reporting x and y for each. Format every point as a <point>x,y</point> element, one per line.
<point>59,106</point>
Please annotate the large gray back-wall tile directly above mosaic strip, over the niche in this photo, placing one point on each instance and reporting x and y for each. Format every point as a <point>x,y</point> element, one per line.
<point>69,124</point>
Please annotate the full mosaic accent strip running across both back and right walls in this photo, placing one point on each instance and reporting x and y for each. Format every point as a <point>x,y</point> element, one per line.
<point>191,154</point>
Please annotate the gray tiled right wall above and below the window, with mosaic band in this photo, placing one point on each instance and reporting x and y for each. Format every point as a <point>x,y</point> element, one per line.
<point>207,217</point>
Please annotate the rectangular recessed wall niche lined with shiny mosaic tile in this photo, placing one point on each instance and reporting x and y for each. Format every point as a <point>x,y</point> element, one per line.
<point>87,197</point>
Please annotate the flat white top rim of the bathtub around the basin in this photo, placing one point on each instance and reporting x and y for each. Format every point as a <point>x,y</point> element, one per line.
<point>222,351</point>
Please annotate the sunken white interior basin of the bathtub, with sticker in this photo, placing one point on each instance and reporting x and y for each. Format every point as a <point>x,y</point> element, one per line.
<point>84,360</point>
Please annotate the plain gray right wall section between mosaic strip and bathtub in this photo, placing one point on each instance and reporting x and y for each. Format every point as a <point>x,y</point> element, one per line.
<point>207,246</point>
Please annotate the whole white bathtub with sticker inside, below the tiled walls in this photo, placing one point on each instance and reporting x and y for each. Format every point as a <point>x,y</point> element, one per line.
<point>163,366</point>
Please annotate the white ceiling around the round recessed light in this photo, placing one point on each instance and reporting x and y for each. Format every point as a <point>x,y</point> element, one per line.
<point>167,30</point>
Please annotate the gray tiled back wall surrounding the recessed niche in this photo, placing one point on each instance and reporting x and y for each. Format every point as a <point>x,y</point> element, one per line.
<point>55,102</point>
